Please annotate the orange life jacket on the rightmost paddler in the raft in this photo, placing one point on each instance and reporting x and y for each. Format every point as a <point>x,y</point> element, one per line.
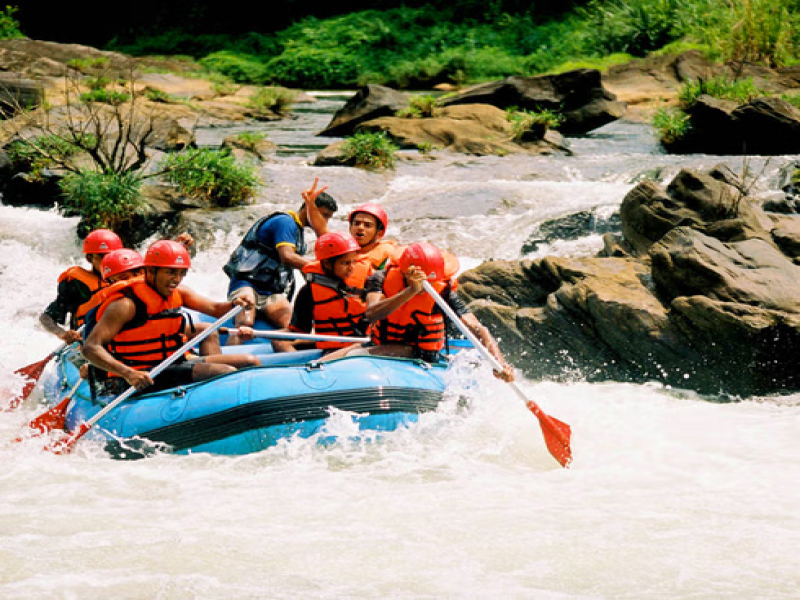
<point>418,322</point>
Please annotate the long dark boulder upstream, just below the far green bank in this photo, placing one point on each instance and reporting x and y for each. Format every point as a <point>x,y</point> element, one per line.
<point>579,96</point>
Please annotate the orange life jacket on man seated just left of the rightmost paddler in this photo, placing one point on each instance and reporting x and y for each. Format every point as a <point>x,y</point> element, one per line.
<point>338,307</point>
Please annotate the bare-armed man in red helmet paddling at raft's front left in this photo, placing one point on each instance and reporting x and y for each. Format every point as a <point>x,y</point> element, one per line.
<point>142,324</point>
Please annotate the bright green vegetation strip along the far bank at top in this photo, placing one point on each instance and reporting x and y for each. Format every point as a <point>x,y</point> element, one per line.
<point>416,47</point>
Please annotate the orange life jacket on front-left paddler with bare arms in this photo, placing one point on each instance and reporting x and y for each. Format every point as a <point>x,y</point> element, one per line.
<point>154,333</point>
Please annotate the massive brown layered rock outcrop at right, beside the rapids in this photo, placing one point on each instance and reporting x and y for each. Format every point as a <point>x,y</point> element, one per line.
<point>707,299</point>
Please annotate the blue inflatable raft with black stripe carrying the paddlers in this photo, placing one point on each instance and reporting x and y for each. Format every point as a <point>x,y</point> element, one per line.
<point>252,409</point>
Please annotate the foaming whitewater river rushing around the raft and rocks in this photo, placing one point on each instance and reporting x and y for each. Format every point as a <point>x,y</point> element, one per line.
<point>670,495</point>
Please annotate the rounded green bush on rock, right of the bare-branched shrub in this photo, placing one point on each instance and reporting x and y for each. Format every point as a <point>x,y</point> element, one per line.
<point>211,175</point>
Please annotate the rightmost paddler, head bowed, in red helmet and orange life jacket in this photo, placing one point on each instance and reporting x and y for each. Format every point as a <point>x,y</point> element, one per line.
<point>407,321</point>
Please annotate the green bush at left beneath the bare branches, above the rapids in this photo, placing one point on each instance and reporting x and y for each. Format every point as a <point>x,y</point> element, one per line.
<point>102,199</point>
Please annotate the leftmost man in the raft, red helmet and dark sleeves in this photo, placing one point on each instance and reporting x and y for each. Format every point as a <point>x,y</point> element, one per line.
<point>77,285</point>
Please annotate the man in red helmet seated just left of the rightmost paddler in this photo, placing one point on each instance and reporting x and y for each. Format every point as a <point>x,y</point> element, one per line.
<point>329,304</point>
